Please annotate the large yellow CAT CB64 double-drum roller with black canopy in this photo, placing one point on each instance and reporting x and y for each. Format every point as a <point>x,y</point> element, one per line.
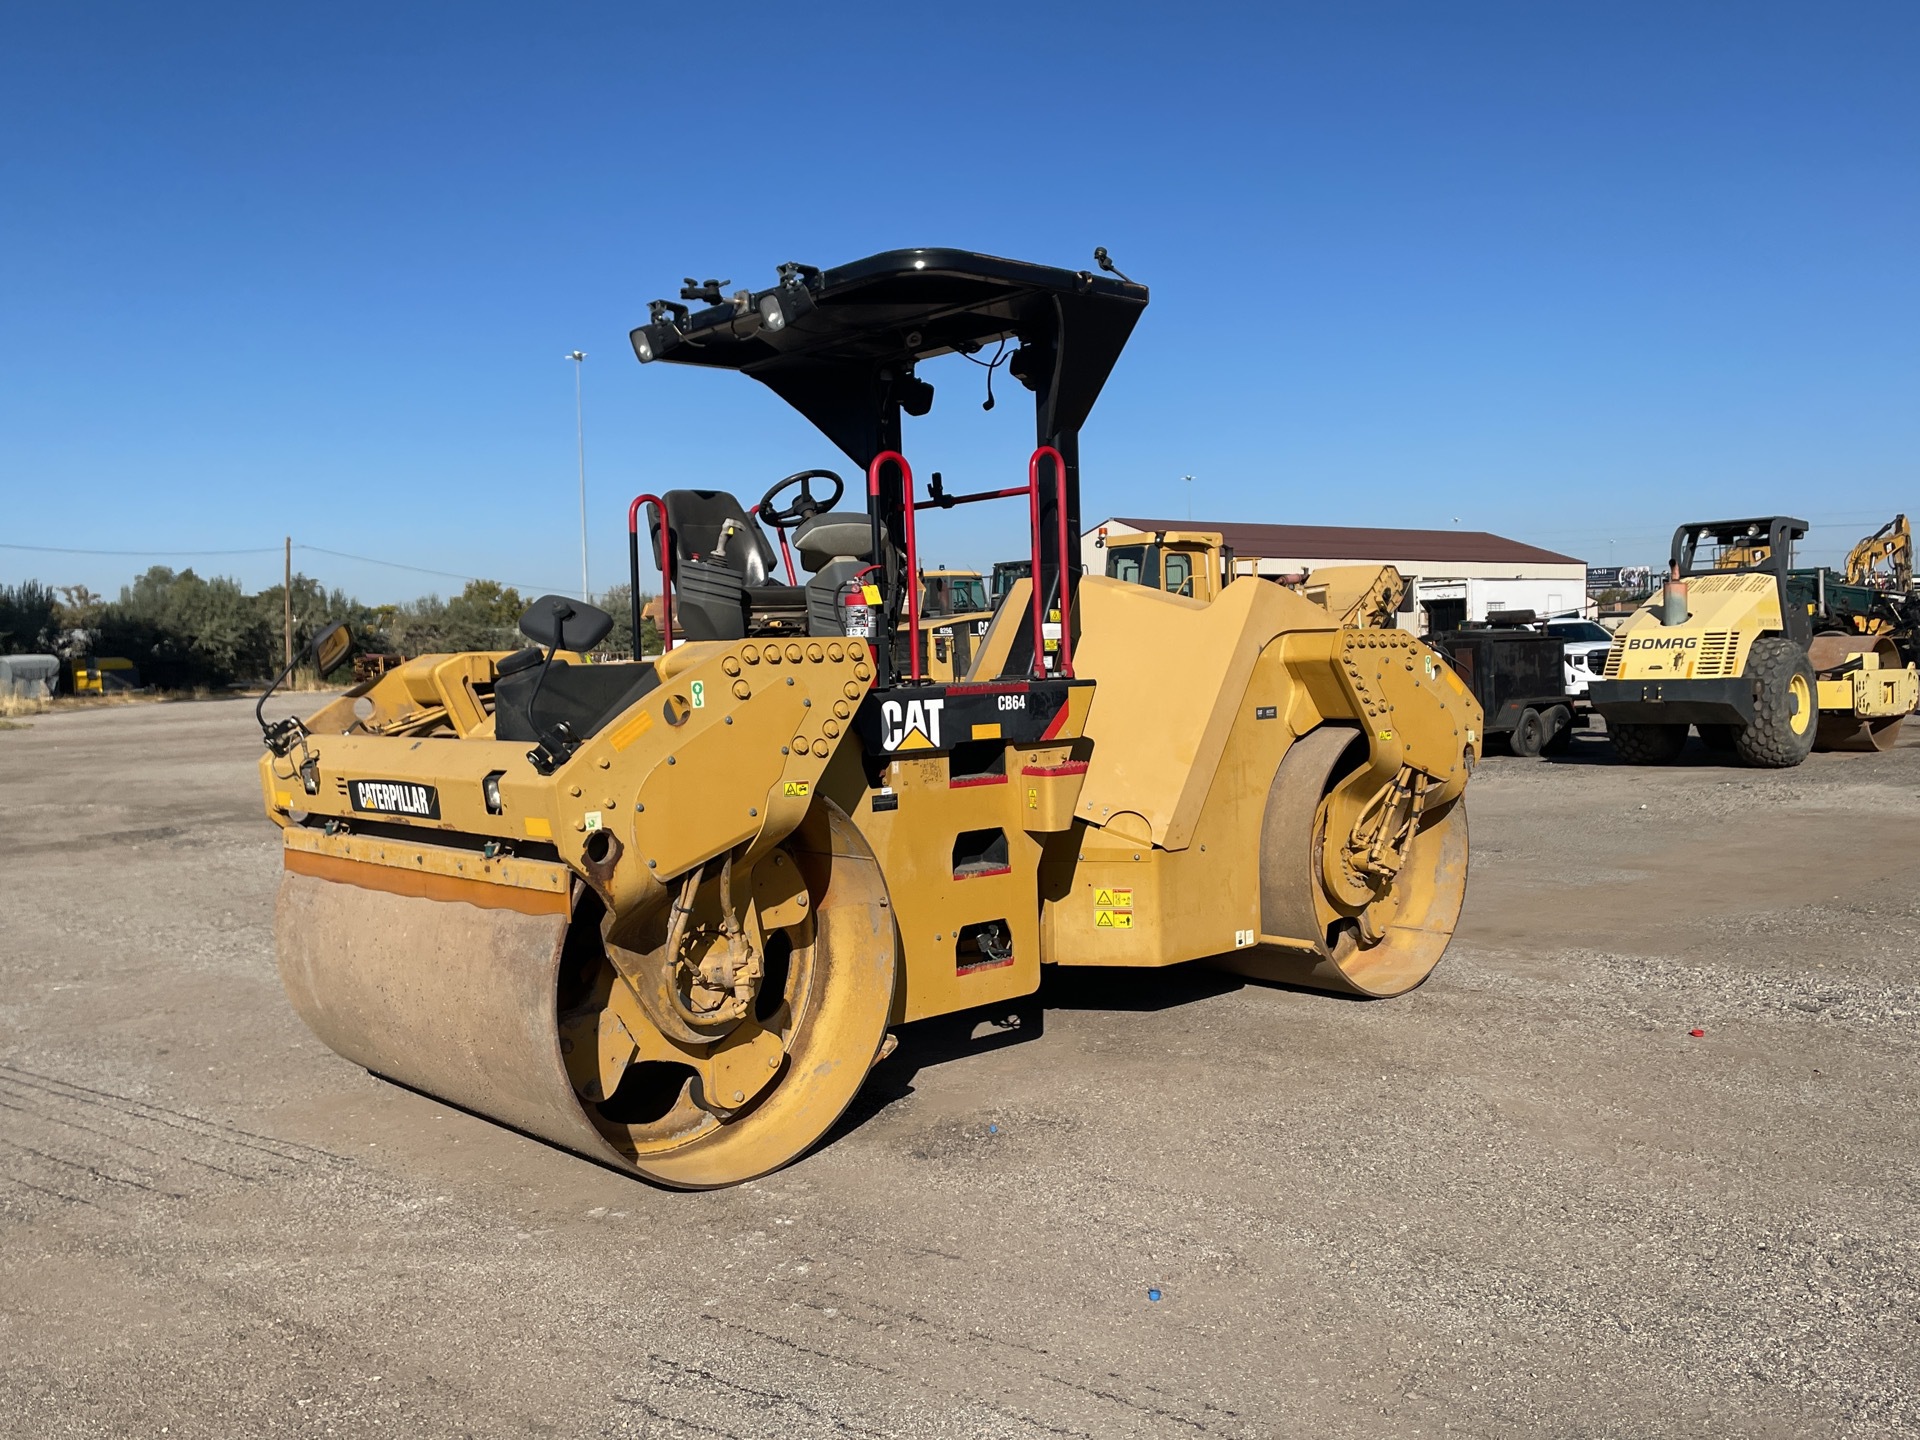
<point>667,913</point>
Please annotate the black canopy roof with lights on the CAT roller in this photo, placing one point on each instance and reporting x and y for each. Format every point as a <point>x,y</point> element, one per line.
<point>842,345</point>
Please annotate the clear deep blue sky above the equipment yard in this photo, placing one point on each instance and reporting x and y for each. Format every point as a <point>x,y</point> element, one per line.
<point>1564,272</point>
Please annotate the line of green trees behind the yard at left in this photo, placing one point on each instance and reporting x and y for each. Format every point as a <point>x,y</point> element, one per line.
<point>185,631</point>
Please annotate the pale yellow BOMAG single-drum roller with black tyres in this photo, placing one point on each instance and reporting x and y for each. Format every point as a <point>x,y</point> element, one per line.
<point>1752,654</point>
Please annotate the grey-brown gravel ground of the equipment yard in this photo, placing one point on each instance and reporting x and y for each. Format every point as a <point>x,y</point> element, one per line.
<point>1520,1201</point>
